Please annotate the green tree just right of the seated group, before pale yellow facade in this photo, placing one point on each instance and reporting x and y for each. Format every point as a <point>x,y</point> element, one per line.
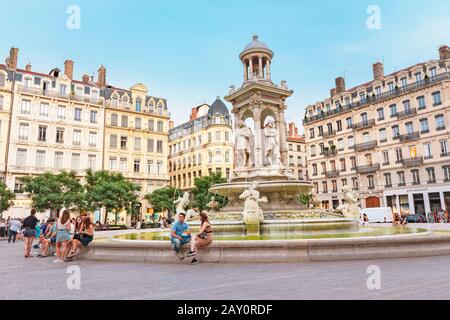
<point>111,191</point>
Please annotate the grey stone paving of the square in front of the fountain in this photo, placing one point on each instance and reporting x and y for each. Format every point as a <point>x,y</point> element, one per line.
<point>404,279</point>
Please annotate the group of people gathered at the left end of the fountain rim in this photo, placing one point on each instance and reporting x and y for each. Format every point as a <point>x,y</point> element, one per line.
<point>63,233</point>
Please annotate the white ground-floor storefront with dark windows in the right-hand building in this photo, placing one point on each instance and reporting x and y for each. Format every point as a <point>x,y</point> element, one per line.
<point>418,200</point>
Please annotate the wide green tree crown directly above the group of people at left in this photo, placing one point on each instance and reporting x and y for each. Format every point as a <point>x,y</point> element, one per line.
<point>55,191</point>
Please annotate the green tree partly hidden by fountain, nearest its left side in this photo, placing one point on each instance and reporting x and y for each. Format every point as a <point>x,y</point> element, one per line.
<point>201,192</point>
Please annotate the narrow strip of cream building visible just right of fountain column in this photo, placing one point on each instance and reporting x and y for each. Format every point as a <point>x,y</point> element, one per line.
<point>296,152</point>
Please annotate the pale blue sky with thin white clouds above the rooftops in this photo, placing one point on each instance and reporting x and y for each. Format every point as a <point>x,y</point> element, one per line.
<point>188,51</point>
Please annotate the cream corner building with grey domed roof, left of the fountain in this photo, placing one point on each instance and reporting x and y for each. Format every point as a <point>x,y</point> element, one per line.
<point>201,146</point>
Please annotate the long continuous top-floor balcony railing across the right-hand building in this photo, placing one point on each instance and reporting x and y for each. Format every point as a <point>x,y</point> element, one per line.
<point>380,98</point>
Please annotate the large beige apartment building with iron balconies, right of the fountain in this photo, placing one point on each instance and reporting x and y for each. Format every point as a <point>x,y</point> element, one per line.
<point>387,138</point>
